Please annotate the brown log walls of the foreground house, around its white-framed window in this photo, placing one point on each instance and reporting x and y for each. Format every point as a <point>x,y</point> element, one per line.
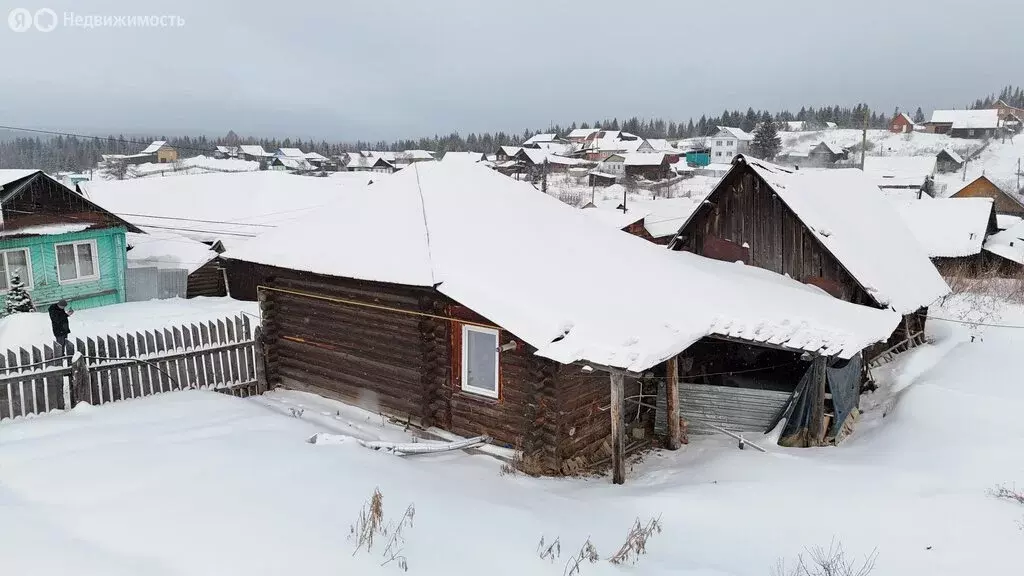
<point>409,366</point>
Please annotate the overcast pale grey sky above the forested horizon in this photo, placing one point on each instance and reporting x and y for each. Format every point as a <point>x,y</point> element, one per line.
<point>386,69</point>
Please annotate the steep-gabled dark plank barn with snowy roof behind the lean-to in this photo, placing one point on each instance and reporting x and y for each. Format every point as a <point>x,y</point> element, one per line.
<point>833,229</point>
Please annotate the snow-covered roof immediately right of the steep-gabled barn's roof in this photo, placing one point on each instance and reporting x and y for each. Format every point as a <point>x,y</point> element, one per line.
<point>949,228</point>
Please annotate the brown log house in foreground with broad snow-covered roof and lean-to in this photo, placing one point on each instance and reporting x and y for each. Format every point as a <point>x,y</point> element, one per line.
<point>491,309</point>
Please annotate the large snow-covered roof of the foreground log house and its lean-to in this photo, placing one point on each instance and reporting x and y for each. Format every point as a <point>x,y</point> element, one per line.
<point>437,210</point>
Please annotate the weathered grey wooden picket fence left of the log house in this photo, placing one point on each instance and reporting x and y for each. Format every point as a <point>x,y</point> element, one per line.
<point>223,355</point>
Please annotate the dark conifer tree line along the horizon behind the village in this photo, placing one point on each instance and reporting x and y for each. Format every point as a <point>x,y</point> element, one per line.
<point>72,153</point>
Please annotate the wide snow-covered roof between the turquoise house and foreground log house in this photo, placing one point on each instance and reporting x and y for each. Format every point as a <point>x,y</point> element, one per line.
<point>230,208</point>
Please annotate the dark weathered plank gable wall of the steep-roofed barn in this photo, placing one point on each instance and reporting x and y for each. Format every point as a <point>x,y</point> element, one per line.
<point>744,210</point>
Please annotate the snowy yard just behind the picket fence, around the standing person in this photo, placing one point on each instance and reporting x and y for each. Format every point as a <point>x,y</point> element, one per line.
<point>34,328</point>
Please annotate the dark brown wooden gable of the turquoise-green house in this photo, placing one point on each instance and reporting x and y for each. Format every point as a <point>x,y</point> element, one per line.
<point>39,200</point>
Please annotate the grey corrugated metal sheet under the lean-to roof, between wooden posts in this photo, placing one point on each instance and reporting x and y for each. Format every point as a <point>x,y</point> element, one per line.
<point>736,409</point>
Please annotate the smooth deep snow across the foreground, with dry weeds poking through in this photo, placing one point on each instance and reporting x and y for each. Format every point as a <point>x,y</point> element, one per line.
<point>198,483</point>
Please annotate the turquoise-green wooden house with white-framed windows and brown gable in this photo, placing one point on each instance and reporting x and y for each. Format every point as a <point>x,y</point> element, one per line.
<point>60,244</point>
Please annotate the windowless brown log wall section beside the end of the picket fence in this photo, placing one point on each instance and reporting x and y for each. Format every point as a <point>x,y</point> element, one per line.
<point>363,356</point>
